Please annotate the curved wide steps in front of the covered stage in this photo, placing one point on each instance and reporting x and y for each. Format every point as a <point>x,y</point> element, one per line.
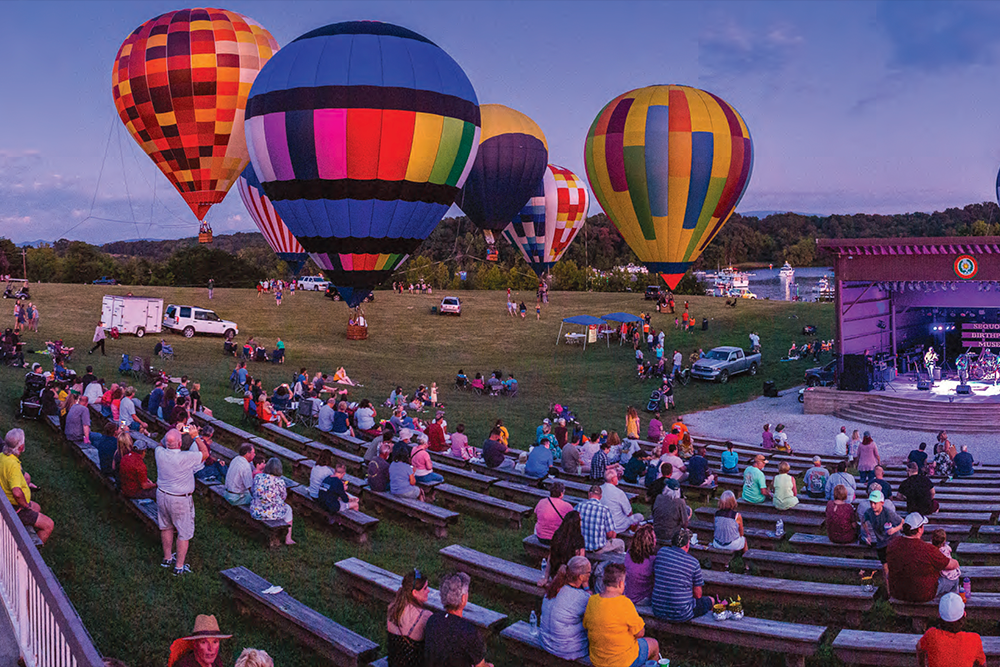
<point>922,415</point>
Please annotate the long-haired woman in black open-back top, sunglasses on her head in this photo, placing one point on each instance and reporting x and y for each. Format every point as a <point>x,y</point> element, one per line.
<point>407,620</point>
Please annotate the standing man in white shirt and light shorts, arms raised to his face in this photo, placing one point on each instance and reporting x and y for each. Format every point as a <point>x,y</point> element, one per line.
<point>174,490</point>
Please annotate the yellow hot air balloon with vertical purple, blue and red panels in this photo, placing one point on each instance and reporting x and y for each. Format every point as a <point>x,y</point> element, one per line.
<point>668,165</point>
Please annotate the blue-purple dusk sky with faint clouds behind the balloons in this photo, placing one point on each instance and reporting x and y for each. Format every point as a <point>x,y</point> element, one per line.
<point>880,107</point>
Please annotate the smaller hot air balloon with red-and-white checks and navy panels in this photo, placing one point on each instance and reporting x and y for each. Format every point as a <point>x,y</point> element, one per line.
<point>550,220</point>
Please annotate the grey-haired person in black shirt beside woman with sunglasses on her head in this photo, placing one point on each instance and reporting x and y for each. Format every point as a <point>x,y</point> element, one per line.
<point>449,639</point>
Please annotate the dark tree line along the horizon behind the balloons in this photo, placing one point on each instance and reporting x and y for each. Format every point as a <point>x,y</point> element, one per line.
<point>454,256</point>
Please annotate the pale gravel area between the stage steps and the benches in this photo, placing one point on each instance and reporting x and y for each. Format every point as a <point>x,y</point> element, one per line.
<point>815,433</point>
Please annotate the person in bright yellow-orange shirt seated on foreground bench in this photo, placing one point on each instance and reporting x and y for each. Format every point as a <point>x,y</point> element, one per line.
<point>614,628</point>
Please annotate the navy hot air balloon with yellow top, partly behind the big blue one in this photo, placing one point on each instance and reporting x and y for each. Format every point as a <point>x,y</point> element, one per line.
<point>512,157</point>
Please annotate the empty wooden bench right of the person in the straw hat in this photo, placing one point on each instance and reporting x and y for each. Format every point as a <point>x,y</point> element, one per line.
<point>339,645</point>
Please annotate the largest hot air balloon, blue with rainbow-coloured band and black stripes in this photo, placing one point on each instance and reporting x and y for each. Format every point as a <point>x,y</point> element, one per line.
<point>362,134</point>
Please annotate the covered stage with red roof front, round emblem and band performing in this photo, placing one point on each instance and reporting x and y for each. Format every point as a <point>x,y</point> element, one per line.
<point>896,298</point>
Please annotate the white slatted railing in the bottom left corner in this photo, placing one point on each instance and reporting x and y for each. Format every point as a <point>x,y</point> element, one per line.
<point>49,631</point>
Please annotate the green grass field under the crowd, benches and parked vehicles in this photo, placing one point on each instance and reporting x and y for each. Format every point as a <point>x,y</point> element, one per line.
<point>109,564</point>
